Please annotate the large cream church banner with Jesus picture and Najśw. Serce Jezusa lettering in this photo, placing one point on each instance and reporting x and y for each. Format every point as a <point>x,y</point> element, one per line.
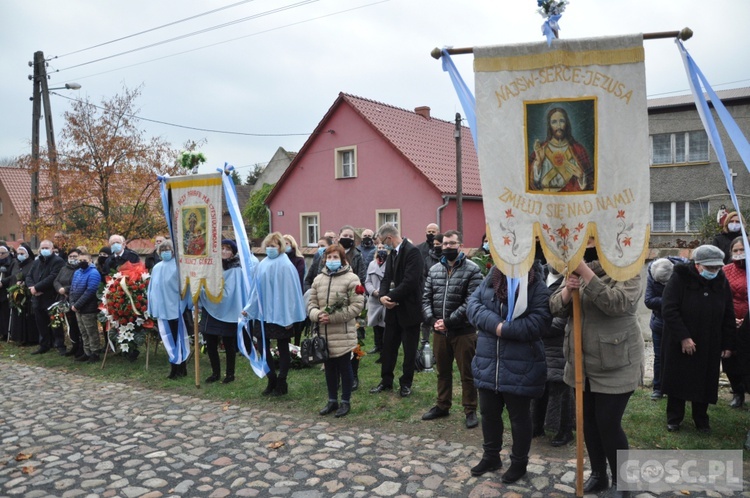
<point>563,152</point>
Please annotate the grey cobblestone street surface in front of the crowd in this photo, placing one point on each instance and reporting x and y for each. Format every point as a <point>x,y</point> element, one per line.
<point>107,439</point>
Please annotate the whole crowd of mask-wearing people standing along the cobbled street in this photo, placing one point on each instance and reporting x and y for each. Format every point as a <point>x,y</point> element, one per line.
<point>512,352</point>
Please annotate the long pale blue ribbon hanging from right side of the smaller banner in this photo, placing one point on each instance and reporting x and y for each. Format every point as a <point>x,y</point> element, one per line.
<point>257,362</point>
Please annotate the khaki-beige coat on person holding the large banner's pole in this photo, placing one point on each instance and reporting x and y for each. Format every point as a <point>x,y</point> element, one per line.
<point>613,349</point>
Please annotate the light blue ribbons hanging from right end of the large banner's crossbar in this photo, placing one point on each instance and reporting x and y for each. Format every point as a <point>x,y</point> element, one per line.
<point>695,78</point>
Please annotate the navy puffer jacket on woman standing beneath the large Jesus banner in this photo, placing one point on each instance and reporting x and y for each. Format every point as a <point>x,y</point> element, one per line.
<point>515,362</point>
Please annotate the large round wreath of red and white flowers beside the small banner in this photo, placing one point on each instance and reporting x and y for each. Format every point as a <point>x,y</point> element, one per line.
<point>124,305</point>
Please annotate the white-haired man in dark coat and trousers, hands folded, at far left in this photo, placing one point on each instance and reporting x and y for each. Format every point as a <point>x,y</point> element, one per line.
<point>40,280</point>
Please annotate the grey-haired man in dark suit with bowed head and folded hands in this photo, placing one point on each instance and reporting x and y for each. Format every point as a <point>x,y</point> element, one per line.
<point>401,295</point>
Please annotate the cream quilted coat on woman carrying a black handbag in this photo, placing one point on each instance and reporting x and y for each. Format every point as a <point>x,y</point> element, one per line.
<point>337,290</point>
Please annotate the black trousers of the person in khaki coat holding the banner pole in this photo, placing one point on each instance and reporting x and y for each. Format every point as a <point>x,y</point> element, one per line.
<point>602,428</point>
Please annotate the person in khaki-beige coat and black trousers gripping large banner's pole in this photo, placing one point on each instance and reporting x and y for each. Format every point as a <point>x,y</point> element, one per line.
<point>613,353</point>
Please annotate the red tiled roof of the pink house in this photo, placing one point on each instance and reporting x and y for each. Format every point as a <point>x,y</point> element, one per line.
<point>427,143</point>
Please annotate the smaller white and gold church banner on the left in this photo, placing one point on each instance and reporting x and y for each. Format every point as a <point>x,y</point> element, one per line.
<point>195,212</point>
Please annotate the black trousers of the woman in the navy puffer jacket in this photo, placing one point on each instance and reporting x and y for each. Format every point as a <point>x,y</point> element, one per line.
<point>491,406</point>
